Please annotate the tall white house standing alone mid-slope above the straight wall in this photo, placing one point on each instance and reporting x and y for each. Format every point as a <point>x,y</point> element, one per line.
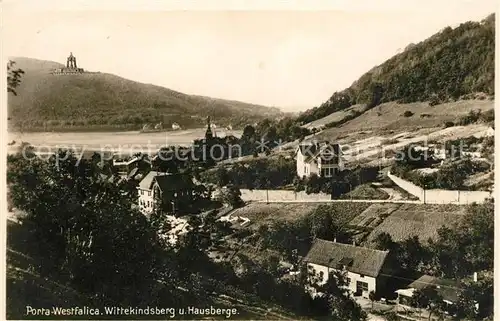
<point>323,159</point>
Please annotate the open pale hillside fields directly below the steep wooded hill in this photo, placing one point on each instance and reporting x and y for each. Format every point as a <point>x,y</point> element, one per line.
<point>369,137</point>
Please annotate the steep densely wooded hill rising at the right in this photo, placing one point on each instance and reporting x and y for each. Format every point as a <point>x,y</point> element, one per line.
<point>451,64</point>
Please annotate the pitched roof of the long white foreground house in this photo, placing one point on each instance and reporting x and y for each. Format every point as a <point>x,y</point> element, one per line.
<point>356,259</point>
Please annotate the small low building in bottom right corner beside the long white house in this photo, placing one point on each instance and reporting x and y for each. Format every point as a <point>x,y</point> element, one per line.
<point>448,289</point>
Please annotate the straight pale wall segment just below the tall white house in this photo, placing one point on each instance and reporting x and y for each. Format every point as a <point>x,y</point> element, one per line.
<point>279,195</point>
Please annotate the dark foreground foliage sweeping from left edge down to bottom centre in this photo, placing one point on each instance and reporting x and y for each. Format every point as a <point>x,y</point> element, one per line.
<point>91,237</point>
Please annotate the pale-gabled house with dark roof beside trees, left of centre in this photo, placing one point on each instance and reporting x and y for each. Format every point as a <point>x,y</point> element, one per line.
<point>175,191</point>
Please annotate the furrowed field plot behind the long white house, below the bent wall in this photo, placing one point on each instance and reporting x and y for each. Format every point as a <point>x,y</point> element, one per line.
<point>420,220</point>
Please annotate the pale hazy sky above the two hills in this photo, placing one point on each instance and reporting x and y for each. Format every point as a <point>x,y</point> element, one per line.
<point>289,59</point>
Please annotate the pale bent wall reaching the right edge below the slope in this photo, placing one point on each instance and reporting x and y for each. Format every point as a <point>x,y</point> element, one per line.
<point>441,196</point>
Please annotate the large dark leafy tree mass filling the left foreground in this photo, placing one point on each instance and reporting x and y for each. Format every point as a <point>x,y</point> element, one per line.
<point>87,230</point>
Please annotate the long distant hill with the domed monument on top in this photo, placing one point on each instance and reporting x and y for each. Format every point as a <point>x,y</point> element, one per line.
<point>101,100</point>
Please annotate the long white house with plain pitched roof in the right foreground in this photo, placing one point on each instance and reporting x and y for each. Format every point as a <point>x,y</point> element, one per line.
<point>363,266</point>
